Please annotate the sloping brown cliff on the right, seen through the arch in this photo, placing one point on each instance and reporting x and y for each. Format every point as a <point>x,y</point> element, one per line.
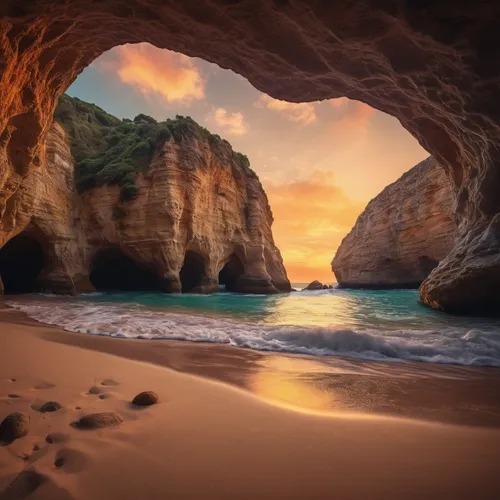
<point>402,234</point>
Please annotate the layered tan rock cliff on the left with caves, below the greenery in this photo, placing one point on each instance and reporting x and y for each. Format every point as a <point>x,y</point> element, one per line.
<point>198,216</point>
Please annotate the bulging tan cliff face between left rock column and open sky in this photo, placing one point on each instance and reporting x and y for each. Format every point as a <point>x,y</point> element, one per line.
<point>194,201</point>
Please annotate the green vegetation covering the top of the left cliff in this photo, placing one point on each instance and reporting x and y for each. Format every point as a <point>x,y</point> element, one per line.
<point>110,151</point>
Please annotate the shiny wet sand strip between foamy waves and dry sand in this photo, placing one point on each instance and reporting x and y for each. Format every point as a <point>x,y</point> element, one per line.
<point>454,394</point>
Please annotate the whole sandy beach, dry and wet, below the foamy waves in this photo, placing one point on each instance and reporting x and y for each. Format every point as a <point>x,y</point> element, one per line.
<point>233,423</point>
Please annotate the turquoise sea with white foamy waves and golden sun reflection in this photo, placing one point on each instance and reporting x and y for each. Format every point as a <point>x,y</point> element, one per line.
<point>384,325</point>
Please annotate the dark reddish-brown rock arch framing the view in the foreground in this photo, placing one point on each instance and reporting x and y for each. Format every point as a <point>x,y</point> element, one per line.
<point>433,65</point>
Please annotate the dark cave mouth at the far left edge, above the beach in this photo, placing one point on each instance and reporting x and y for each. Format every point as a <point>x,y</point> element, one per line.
<point>21,260</point>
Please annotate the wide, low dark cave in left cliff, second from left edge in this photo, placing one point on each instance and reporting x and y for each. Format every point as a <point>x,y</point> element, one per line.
<point>113,270</point>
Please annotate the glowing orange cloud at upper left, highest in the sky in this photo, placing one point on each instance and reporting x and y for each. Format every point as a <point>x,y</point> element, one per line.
<point>155,72</point>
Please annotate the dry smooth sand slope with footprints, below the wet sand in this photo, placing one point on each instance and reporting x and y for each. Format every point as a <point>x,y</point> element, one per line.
<point>210,440</point>
